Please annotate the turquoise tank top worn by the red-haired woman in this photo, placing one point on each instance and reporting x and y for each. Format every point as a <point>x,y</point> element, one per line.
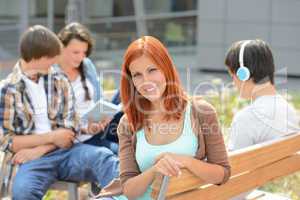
<point>185,144</point>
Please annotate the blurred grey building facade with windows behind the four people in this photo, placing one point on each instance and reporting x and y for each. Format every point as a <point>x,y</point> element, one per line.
<point>197,32</point>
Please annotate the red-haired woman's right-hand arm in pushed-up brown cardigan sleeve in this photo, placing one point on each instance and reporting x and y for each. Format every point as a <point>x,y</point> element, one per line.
<point>216,167</point>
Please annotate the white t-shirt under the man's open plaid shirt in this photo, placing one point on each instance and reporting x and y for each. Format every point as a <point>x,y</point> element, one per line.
<point>37,94</point>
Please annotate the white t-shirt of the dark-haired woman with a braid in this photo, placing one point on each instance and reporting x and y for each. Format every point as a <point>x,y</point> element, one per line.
<point>81,104</point>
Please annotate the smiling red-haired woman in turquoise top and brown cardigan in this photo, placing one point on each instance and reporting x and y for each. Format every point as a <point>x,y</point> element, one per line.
<point>163,130</point>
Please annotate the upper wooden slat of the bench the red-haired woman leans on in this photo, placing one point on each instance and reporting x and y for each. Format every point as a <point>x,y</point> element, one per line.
<point>246,160</point>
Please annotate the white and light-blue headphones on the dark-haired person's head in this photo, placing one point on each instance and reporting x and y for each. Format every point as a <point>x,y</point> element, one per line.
<point>243,72</point>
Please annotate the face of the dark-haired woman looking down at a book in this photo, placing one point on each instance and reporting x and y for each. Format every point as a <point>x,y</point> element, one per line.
<point>74,53</point>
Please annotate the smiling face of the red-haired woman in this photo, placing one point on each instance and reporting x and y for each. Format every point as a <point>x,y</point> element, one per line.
<point>147,78</point>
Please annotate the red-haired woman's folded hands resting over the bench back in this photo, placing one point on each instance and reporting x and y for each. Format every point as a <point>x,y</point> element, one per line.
<point>169,164</point>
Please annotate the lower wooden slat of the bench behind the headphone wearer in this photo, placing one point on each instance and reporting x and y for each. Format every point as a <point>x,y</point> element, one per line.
<point>245,182</point>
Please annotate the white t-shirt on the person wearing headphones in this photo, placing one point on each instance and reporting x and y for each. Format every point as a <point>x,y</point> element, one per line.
<point>267,118</point>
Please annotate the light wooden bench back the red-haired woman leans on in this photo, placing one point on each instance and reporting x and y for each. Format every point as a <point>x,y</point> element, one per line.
<point>251,167</point>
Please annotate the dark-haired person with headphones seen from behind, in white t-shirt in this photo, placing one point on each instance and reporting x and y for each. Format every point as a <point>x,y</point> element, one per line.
<point>269,116</point>
